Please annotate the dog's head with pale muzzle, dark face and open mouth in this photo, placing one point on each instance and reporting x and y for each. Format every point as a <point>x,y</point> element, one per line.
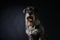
<point>30,15</point>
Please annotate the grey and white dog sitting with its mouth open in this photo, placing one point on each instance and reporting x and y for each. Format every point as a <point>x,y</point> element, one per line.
<point>32,24</point>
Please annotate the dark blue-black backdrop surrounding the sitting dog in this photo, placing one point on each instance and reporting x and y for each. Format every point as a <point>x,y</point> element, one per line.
<point>12,19</point>
